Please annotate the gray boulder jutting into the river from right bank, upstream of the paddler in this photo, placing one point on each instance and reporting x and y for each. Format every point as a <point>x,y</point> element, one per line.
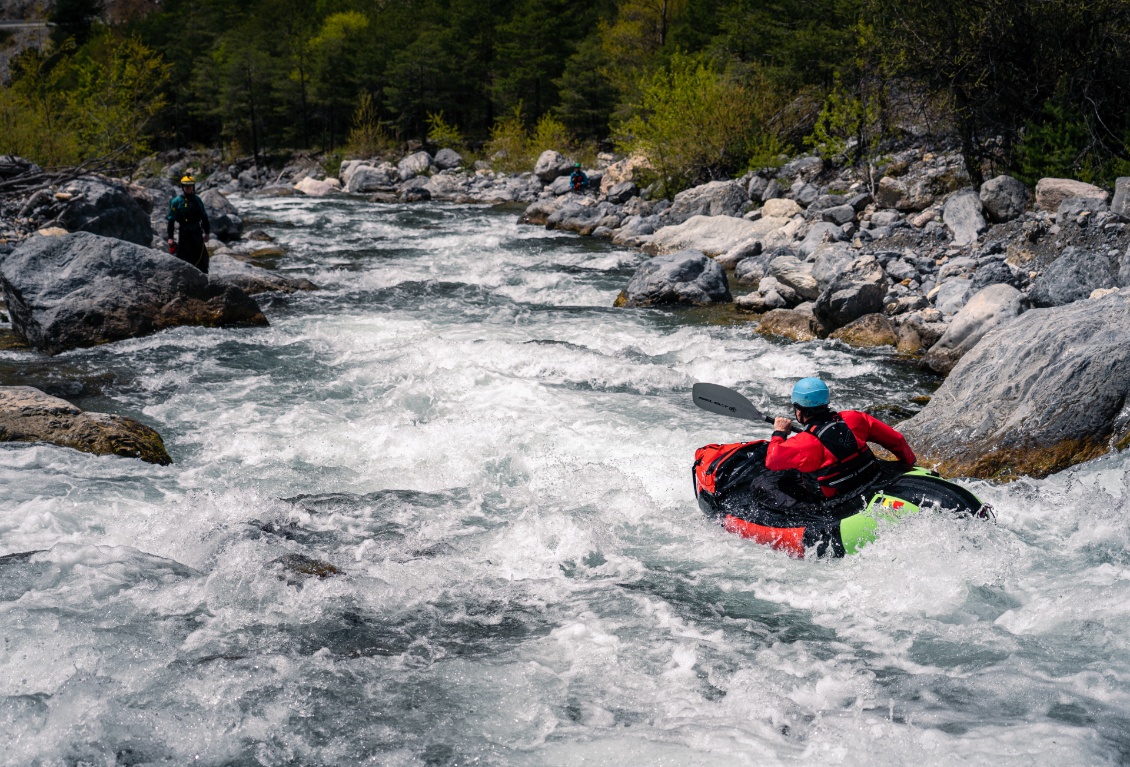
<point>689,278</point>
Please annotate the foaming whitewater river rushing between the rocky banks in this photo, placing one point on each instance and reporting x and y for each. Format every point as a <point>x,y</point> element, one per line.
<point>500,465</point>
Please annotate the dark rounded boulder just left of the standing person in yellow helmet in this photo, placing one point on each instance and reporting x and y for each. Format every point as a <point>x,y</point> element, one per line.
<point>106,208</point>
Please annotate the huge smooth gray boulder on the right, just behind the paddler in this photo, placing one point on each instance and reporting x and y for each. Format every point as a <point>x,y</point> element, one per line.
<point>1039,394</point>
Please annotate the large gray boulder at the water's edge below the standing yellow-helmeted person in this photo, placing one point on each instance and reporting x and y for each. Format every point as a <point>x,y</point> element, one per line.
<point>82,291</point>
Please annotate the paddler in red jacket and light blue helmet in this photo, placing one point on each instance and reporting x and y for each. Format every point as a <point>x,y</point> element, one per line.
<point>833,447</point>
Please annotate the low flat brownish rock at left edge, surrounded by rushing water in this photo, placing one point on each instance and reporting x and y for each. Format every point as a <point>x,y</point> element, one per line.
<point>29,415</point>
